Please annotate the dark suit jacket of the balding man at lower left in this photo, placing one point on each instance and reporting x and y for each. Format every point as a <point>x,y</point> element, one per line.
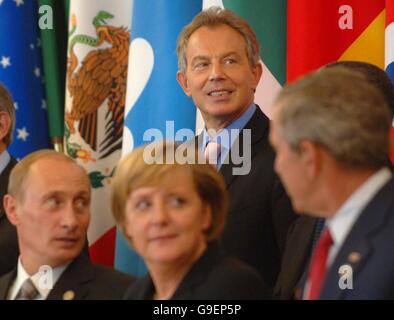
<point>86,280</point>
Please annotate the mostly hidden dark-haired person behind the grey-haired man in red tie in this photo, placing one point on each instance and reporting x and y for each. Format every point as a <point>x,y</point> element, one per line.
<point>305,232</point>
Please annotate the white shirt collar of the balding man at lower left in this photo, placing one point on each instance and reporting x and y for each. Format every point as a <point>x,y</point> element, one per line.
<point>22,276</point>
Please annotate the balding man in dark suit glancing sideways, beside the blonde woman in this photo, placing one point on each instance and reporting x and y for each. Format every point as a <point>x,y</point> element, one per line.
<point>48,201</point>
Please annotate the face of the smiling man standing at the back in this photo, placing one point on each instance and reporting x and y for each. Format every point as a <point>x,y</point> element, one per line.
<point>219,77</point>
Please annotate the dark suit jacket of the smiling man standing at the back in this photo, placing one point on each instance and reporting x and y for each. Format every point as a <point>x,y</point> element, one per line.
<point>260,212</point>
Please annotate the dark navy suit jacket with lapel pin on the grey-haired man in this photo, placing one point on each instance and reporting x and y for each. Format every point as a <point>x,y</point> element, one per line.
<point>369,250</point>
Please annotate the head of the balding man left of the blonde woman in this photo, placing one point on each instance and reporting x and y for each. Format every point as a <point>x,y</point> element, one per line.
<point>48,201</point>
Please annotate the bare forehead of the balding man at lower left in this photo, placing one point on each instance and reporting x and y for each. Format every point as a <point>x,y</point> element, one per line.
<point>54,172</point>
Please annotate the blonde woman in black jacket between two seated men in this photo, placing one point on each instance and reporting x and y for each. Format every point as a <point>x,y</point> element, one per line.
<point>172,214</point>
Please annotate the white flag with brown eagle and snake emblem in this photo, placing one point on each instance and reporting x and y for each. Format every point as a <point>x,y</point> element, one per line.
<point>98,44</point>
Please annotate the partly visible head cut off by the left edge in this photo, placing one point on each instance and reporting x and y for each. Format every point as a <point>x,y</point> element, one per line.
<point>7,118</point>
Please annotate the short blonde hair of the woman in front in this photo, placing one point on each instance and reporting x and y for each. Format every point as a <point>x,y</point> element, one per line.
<point>134,172</point>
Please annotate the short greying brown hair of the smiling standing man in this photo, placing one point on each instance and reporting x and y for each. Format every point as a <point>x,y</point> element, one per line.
<point>214,17</point>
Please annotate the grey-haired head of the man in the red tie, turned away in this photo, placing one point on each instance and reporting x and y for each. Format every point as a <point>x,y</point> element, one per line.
<point>330,121</point>
